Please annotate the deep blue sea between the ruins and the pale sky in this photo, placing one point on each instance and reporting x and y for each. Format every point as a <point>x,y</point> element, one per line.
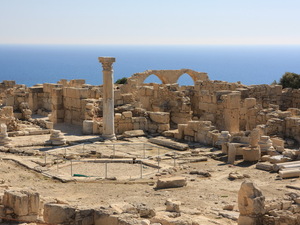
<point>32,64</point>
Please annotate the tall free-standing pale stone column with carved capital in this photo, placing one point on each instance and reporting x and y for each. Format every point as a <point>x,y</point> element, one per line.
<point>108,98</point>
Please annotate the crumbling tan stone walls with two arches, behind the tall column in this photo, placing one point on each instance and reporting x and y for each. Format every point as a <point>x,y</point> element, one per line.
<point>199,113</point>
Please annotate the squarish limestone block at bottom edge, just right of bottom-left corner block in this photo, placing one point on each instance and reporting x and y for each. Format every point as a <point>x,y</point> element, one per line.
<point>58,214</point>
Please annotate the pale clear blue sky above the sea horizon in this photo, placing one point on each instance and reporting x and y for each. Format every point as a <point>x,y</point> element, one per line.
<point>149,22</point>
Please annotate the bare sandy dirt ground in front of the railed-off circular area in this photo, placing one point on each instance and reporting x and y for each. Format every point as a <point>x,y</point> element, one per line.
<point>203,196</point>
